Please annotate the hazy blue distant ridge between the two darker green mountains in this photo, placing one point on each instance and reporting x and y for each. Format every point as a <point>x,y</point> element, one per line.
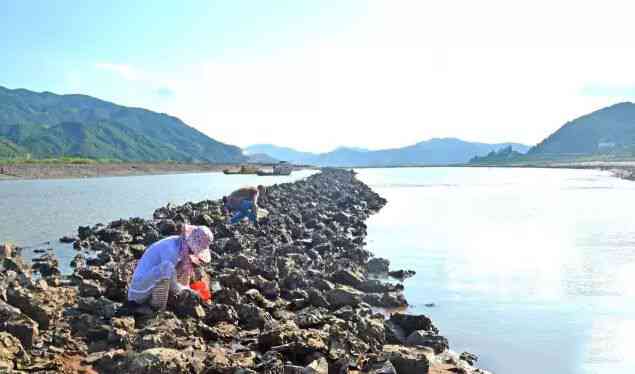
<point>433,151</point>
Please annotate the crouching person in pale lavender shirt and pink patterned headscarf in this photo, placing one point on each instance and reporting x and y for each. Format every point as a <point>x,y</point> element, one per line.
<point>167,266</point>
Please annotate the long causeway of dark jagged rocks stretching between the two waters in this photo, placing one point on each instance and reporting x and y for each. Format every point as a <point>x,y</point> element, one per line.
<point>297,295</point>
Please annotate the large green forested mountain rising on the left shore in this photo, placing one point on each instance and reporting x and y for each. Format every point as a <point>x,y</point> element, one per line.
<point>49,125</point>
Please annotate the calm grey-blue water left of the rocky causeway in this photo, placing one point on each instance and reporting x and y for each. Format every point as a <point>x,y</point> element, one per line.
<point>33,212</point>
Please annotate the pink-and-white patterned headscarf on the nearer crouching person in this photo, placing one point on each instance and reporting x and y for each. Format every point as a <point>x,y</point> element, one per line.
<point>195,242</point>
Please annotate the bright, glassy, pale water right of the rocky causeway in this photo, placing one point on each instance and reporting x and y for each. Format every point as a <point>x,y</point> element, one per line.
<point>533,270</point>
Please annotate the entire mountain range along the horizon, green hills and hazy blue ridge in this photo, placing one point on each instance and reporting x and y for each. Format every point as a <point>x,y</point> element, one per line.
<point>42,125</point>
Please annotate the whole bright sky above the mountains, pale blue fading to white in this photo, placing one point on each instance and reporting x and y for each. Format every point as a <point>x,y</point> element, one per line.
<point>317,74</point>
